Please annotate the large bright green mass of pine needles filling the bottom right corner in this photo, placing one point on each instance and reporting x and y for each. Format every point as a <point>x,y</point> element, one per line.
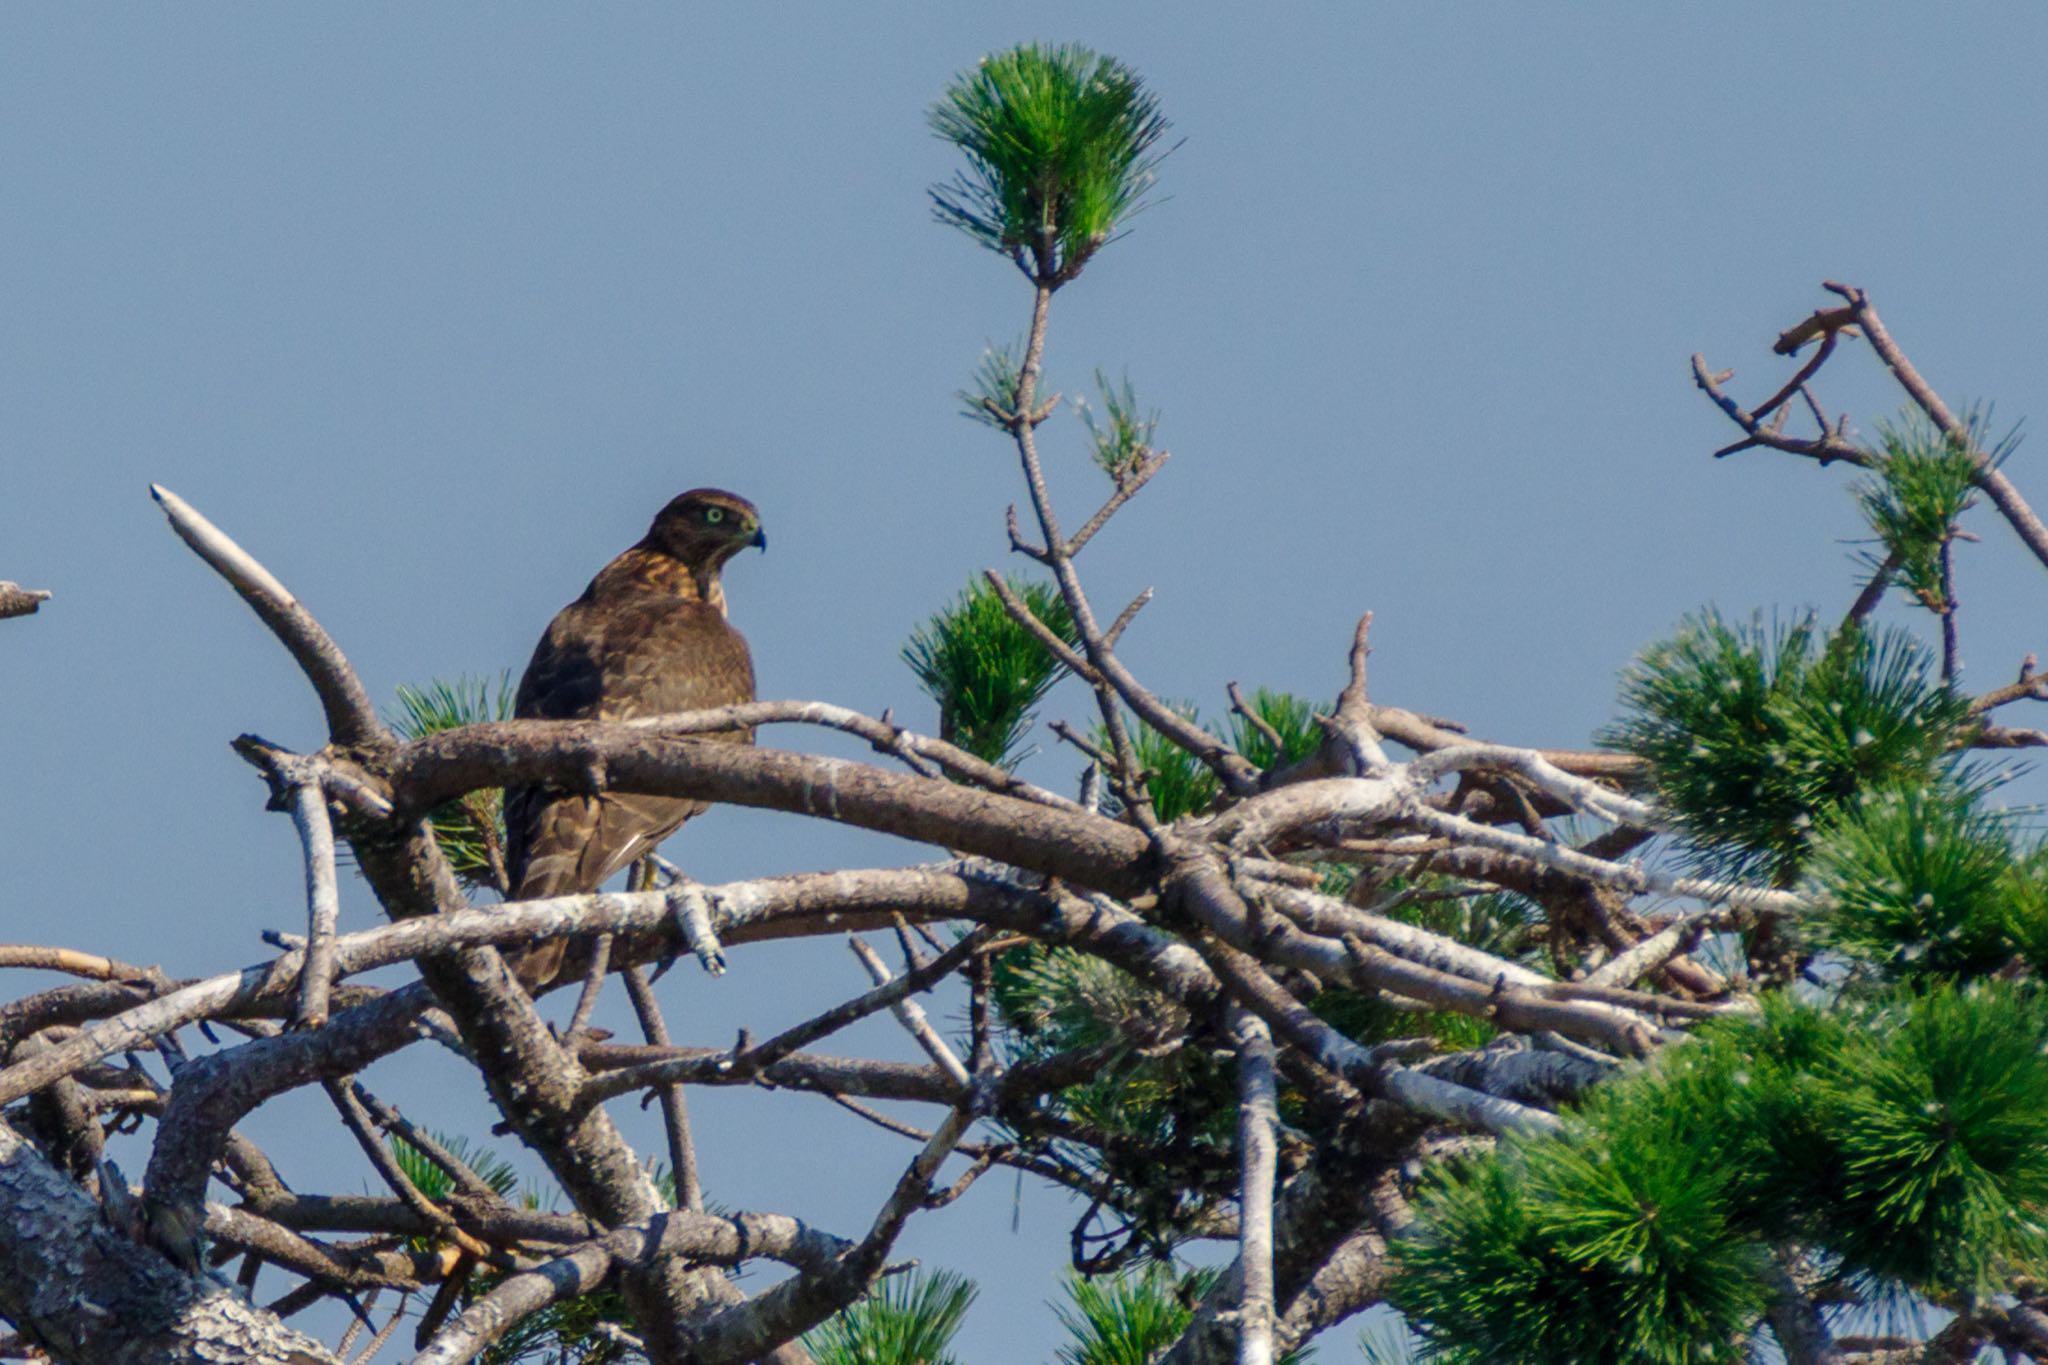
<point>1897,1139</point>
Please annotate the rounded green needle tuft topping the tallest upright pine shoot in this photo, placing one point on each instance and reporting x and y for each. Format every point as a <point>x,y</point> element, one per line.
<point>1060,155</point>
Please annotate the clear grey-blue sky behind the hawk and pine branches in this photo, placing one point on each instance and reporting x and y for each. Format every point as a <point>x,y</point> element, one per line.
<point>435,306</point>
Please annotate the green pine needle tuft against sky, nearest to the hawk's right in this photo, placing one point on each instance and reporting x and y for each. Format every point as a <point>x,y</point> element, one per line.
<point>986,670</point>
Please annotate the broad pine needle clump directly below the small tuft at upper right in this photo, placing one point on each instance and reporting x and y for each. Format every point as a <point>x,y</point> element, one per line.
<point>1754,736</point>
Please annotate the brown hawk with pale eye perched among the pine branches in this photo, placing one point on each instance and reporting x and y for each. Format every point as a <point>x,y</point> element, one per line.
<point>646,637</point>
